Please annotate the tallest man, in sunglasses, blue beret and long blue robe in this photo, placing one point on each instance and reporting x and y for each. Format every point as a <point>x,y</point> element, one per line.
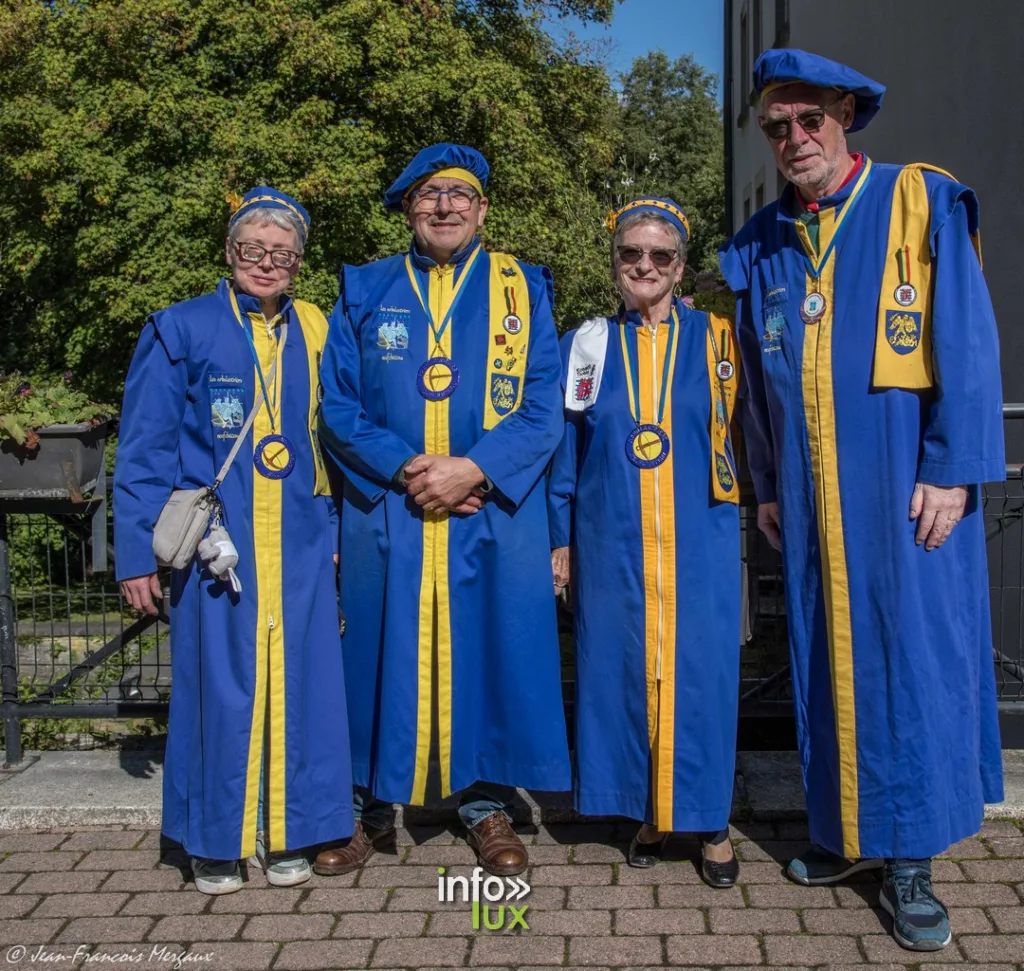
<point>873,362</point>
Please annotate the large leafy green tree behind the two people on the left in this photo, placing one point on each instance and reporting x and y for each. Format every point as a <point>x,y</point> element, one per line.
<point>125,123</point>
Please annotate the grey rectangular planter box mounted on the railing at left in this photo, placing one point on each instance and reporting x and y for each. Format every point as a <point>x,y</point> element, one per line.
<point>67,465</point>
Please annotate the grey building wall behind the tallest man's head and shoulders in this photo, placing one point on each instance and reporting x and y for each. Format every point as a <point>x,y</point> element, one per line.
<point>955,74</point>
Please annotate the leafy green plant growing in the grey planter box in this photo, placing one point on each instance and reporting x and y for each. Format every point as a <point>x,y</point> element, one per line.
<point>28,406</point>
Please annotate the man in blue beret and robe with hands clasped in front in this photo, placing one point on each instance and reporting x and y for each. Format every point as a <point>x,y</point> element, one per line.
<point>443,405</point>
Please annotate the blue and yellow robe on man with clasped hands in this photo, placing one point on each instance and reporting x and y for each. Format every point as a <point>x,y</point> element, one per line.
<point>457,610</point>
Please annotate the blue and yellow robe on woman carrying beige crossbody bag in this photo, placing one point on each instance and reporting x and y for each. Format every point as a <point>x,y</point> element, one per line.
<point>257,676</point>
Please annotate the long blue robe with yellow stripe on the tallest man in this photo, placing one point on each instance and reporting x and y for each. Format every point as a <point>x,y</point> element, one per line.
<point>891,646</point>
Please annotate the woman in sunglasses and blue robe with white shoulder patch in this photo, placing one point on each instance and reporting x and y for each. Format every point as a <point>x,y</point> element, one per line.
<point>645,520</point>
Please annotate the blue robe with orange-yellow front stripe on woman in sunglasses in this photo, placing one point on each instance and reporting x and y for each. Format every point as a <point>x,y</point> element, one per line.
<point>657,589</point>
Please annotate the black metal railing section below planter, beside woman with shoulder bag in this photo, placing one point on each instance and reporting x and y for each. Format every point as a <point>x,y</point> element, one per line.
<point>70,647</point>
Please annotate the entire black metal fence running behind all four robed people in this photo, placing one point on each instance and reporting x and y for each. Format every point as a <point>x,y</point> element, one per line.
<point>71,649</point>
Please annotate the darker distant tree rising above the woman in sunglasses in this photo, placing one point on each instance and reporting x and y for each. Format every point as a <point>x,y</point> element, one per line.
<point>670,144</point>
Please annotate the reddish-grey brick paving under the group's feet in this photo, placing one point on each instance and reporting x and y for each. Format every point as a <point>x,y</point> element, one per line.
<point>112,897</point>
